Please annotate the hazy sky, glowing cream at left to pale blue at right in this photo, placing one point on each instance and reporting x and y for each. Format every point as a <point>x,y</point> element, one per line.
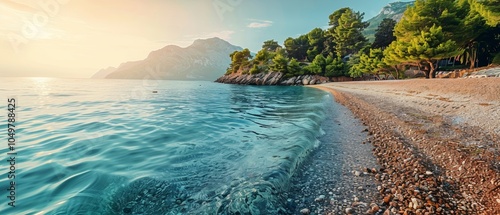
<point>76,38</point>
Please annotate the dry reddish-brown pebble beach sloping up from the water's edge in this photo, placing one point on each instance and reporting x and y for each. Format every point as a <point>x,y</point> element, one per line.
<point>437,142</point>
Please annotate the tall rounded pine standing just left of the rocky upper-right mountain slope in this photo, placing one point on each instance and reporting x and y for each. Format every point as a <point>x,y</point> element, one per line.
<point>346,30</point>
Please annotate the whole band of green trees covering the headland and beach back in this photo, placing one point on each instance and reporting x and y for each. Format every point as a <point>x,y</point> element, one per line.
<point>430,31</point>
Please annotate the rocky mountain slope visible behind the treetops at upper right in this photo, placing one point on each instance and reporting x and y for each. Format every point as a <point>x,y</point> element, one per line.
<point>394,11</point>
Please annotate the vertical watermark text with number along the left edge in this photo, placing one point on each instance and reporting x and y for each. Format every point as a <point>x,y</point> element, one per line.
<point>11,153</point>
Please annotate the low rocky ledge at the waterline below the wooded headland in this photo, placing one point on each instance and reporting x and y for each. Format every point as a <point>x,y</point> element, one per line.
<point>272,78</point>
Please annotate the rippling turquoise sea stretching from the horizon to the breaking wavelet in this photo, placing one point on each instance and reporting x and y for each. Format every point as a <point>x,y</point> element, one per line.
<point>115,147</point>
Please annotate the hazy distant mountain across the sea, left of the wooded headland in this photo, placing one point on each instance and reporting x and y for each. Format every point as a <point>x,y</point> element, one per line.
<point>205,59</point>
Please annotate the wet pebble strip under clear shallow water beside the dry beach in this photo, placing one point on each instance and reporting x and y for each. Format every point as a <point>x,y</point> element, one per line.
<point>334,177</point>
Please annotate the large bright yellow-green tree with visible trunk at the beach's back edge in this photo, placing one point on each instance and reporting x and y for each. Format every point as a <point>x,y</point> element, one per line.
<point>429,31</point>
